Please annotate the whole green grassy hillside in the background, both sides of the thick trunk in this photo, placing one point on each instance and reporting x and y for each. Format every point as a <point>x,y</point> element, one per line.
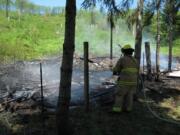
<point>36,36</point>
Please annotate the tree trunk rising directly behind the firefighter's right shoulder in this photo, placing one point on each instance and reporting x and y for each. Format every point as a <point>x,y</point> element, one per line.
<point>138,38</point>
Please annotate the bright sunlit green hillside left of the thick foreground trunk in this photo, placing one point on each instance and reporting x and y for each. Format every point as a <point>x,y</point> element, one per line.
<point>31,37</point>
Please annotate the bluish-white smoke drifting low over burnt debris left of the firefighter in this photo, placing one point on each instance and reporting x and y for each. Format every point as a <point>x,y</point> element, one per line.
<point>26,78</point>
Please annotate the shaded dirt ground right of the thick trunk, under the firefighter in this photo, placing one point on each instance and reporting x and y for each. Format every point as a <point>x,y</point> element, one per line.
<point>139,122</point>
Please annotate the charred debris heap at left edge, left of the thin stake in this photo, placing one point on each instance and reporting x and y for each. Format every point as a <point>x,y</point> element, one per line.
<point>25,102</point>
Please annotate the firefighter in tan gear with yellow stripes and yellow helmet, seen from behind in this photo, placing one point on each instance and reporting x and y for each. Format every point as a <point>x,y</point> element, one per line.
<point>127,70</point>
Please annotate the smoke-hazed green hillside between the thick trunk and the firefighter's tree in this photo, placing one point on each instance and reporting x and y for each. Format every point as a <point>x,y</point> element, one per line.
<point>98,35</point>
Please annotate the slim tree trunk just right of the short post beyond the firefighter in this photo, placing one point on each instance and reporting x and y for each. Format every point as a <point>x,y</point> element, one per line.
<point>157,41</point>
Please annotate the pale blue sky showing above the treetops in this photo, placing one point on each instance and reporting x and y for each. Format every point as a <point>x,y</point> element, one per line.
<point>52,3</point>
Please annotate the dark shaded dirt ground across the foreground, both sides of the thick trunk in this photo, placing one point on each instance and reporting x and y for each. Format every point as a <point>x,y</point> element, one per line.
<point>99,121</point>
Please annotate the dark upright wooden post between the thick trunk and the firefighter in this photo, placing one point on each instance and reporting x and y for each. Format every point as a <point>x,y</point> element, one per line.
<point>86,76</point>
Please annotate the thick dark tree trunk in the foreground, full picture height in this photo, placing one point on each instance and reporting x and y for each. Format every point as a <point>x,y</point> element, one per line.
<point>66,70</point>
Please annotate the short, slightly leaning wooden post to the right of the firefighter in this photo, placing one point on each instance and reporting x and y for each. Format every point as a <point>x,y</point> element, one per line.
<point>148,60</point>
